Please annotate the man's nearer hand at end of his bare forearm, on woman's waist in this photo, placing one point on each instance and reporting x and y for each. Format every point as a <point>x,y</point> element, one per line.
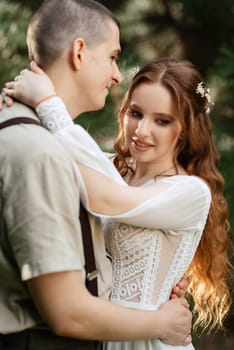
<point>177,321</point>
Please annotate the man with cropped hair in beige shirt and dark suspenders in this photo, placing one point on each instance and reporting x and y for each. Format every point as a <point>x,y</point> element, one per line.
<point>41,252</point>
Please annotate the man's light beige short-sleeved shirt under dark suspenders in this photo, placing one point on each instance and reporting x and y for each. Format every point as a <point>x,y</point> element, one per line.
<point>39,226</point>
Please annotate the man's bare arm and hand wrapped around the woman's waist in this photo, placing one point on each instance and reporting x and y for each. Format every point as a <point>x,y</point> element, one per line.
<point>69,309</point>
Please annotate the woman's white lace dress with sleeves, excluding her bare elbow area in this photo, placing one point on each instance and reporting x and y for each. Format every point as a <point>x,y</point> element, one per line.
<point>152,244</point>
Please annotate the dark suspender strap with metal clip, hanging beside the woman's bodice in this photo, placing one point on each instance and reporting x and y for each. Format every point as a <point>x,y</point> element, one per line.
<point>90,267</point>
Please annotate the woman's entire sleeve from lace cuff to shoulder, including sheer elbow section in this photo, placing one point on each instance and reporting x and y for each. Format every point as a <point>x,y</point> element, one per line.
<point>168,204</point>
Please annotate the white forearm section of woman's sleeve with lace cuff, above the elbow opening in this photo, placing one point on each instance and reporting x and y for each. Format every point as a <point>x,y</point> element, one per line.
<point>82,147</point>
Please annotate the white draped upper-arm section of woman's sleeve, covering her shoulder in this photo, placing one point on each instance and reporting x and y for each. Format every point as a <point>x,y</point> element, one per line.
<point>181,206</point>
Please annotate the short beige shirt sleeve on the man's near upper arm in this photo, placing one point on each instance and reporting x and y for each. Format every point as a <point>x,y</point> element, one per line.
<point>44,229</point>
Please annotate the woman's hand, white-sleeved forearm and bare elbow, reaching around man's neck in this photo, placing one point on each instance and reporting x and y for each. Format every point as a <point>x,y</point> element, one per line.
<point>107,192</point>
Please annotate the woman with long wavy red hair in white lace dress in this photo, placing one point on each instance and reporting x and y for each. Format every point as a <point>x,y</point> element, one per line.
<point>164,147</point>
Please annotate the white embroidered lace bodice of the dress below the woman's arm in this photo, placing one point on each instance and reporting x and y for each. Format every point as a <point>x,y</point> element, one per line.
<point>145,268</point>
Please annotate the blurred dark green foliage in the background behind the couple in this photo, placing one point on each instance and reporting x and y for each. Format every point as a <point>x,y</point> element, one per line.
<point>199,30</point>
